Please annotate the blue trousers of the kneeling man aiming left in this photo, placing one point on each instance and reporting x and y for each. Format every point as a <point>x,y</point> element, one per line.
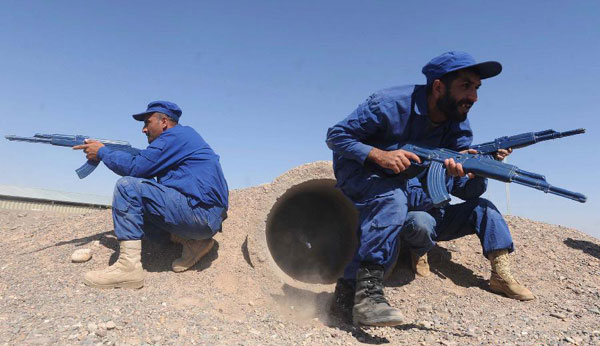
<point>145,207</point>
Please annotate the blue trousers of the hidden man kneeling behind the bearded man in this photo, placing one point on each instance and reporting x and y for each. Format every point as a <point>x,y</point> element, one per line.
<point>477,216</point>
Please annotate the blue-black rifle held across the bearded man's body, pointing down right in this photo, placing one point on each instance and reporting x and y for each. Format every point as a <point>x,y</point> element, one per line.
<point>480,165</point>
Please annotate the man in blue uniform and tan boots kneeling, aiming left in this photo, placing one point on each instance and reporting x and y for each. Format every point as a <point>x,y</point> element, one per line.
<point>187,201</point>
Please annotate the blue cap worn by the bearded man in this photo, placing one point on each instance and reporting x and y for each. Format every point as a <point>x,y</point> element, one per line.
<point>452,61</point>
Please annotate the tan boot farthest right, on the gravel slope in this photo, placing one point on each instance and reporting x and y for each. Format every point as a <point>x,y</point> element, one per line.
<point>502,281</point>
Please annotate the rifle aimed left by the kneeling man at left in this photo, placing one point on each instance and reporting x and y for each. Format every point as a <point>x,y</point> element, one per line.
<point>73,140</point>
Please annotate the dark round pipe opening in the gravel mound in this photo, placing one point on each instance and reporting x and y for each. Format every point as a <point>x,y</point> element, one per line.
<point>311,232</point>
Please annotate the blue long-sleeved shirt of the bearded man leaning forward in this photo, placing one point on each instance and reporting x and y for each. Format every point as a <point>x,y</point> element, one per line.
<point>387,120</point>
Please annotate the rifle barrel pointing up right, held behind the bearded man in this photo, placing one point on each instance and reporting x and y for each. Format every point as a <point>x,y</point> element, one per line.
<point>522,140</point>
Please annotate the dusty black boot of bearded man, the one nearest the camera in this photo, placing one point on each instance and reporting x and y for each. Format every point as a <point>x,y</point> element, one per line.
<point>370,306</point>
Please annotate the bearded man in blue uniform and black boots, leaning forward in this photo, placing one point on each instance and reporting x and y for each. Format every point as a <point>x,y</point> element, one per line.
<point>367,160</point>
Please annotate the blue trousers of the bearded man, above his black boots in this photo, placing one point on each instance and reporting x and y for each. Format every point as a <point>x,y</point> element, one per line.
<point>381,216</point>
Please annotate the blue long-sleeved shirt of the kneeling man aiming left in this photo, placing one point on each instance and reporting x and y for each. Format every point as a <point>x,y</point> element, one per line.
<point>180,159</point>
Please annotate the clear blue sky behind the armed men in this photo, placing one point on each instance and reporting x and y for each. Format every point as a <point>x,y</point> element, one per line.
<point>263,80</point>
